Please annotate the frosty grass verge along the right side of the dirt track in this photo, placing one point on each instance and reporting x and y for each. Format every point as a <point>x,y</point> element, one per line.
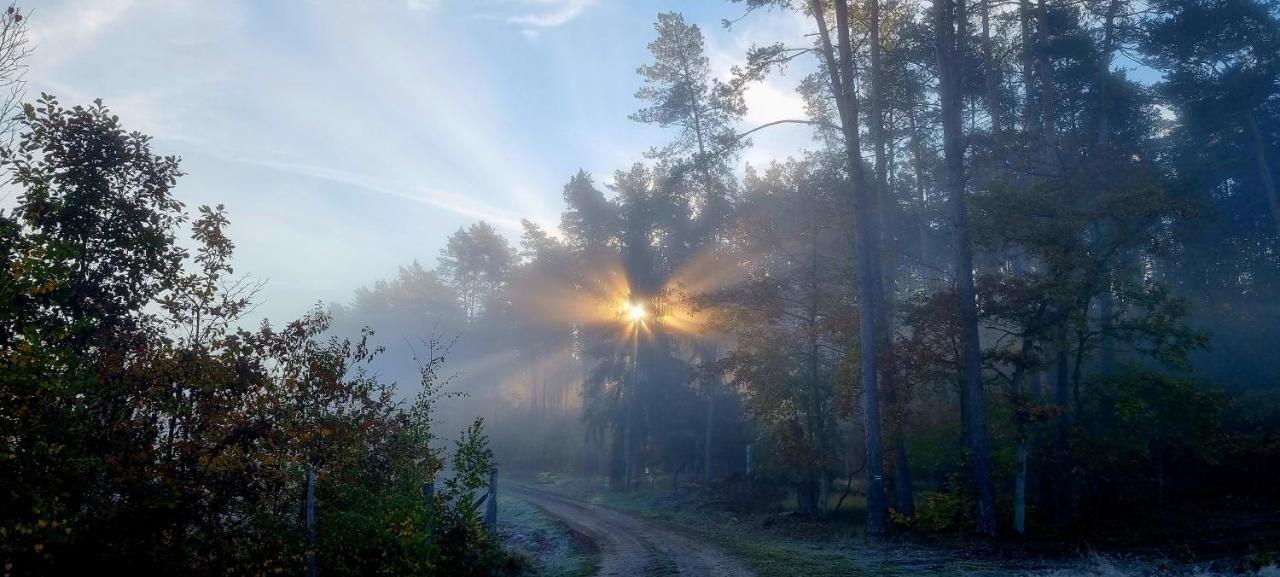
<point>781,546</point>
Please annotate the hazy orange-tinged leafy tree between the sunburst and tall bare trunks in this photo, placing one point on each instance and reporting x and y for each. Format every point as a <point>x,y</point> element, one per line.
<point>793,322</point>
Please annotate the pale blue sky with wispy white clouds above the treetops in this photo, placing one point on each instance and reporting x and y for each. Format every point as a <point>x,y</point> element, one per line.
<point>349,139</point>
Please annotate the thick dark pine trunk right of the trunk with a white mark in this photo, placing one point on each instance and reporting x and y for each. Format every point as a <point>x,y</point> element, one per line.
<point>952,48</point>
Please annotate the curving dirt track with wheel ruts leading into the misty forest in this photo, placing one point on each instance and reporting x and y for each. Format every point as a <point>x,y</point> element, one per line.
<point>633,547</point>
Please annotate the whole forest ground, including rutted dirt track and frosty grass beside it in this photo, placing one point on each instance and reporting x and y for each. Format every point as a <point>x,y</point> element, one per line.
<point>666,534</point>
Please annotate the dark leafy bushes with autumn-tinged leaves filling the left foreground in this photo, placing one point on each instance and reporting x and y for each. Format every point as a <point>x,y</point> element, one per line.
<point>139,429</point>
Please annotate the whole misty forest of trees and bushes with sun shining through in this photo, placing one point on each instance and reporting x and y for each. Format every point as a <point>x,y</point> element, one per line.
<point>1022,291</point>
